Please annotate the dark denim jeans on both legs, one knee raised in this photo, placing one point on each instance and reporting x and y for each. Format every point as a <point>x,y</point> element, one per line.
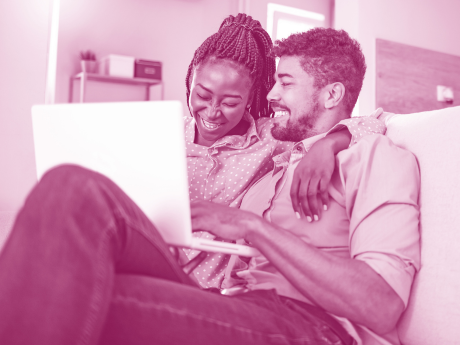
<point>83,265</point>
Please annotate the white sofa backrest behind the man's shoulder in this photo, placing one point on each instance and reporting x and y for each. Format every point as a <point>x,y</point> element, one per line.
<point>433,313</point>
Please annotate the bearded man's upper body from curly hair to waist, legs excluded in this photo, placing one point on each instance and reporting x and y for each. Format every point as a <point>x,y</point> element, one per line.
<point>358,262</point>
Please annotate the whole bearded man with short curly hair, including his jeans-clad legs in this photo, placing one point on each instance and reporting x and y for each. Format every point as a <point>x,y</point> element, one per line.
<point>84,265</point>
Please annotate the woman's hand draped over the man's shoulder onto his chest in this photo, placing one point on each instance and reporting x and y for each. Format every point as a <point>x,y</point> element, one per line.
<point>309,189</point>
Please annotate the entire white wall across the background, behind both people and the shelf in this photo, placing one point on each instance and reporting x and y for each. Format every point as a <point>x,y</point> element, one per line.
<point>168,31</point>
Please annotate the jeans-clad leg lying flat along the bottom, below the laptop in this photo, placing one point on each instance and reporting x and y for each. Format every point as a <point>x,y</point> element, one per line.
<point>146,310</point>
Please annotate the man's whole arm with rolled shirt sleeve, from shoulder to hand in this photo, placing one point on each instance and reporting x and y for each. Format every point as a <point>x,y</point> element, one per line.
<point>381,184</point>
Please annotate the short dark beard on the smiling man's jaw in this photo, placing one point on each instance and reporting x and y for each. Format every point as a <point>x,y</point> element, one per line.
<point>299,130</point>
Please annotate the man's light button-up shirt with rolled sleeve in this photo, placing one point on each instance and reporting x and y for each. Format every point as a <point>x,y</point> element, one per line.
<point>373,217</point>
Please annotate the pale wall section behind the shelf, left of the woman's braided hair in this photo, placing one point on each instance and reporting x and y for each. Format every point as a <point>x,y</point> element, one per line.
<point>167,31</point>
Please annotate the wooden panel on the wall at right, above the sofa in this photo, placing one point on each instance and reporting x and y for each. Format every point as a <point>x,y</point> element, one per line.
<point>407,77</point>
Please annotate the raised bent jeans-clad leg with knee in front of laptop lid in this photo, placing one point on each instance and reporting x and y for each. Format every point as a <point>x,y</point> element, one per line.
<point>74,232</point>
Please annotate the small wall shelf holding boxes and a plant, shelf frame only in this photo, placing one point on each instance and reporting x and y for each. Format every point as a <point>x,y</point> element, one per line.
<point>85,77</point>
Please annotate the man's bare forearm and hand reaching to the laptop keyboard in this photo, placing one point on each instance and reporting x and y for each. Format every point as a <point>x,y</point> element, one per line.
<point>344,287</point>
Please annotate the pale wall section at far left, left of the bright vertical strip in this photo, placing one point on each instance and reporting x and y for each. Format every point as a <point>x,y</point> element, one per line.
<point>23,40</point>
